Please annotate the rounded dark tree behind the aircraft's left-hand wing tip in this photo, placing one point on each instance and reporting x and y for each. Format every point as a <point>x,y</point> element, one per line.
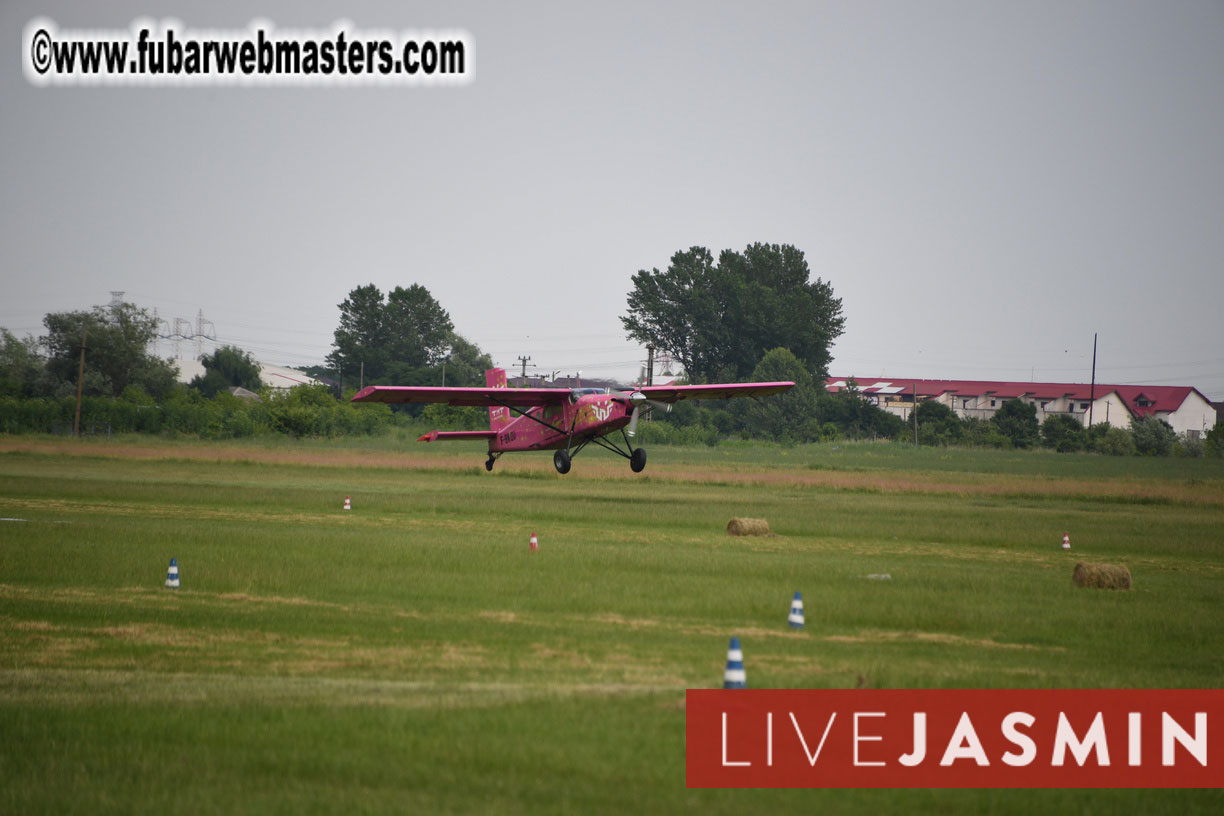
<point>394,338</point>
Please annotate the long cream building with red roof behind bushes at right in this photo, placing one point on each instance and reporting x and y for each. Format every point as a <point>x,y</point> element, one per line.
<point>1182,407</point>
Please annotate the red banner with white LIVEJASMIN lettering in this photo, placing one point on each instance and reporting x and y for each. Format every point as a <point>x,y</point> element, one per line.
<point>955,738</point>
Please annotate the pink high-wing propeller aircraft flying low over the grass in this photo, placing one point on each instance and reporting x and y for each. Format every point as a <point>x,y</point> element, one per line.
<point>565,420</point>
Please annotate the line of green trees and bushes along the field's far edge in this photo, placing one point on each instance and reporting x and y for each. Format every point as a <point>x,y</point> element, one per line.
<point>753,315</point>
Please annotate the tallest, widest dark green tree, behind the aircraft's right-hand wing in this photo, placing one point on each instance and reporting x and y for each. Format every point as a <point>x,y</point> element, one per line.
<point>720,319</point>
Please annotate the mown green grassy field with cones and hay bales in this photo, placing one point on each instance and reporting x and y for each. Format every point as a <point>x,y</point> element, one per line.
<point>412,655</point>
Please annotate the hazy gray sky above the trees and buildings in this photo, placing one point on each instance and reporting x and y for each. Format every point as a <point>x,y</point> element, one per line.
<point>985,184</point>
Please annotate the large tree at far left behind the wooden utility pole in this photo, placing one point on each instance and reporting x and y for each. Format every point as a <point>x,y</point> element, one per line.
<point>117,357</point>
